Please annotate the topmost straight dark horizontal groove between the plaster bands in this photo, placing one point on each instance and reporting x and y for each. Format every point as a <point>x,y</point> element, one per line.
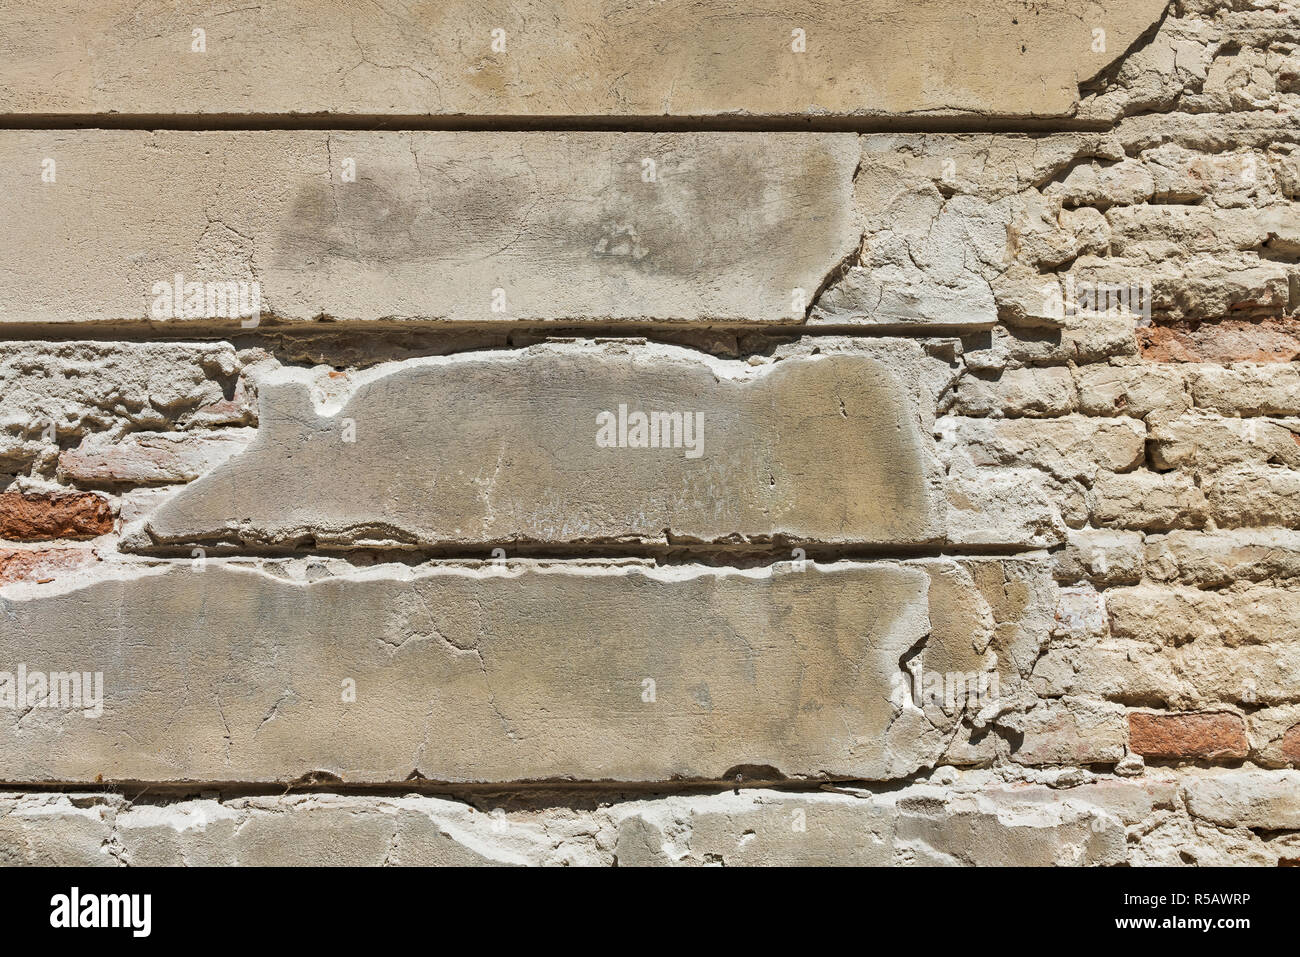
<point>215,123</point>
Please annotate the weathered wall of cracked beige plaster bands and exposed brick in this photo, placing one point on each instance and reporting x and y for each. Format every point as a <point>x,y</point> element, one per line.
<point>844,480</point>
